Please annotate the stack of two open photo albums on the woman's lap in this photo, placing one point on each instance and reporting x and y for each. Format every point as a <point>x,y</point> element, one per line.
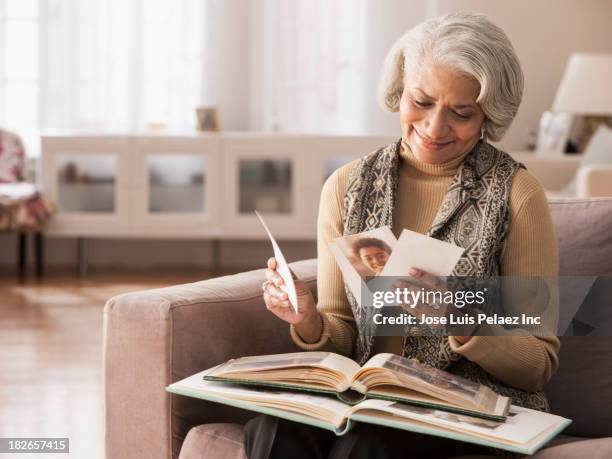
<point>332,392</point>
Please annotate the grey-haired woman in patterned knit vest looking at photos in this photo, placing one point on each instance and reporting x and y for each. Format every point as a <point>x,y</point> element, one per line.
<point>457,84</point>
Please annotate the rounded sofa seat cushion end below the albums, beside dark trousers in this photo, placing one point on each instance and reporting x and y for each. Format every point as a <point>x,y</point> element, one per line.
<point>214,441</point>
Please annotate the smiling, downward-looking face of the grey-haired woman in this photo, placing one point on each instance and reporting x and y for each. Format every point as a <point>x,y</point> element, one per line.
<point>439,114</point>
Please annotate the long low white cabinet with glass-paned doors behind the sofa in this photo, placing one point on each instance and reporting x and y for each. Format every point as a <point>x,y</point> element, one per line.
<point>194,185</point>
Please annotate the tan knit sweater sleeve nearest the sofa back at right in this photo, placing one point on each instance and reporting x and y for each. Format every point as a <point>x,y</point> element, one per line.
<point>525,362</point>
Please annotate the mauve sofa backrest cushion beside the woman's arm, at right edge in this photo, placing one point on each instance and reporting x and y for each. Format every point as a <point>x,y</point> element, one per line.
<point>583,383</point>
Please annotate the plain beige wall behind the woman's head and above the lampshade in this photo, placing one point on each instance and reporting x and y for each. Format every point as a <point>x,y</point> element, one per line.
<point>544,34</point>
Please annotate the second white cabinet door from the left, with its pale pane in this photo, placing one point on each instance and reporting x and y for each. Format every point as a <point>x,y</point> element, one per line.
<point>176,189</point>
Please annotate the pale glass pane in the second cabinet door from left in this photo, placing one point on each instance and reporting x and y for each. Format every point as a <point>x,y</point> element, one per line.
<point>176,183</point>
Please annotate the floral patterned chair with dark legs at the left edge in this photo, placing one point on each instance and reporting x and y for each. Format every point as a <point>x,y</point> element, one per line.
<point>23,208</point>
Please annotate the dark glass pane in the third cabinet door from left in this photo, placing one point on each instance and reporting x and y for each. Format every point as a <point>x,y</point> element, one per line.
<point>265,185</point>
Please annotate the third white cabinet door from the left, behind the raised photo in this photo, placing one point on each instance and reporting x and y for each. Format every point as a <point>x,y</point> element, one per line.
<point>268,175</point>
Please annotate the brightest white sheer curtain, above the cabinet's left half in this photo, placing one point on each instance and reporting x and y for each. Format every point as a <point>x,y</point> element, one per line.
<point>121,65</point>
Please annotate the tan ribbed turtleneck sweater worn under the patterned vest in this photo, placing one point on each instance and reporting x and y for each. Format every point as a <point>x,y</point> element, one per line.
<point>525,362</point>
